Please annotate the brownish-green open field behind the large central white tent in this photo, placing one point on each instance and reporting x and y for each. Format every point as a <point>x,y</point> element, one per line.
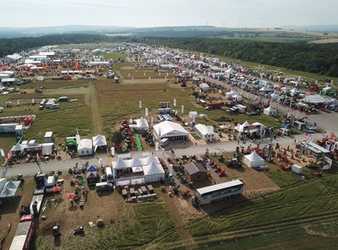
<point>118,101</point>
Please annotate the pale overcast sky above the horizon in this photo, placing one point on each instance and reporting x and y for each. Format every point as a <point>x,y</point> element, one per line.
<point>145,13</point>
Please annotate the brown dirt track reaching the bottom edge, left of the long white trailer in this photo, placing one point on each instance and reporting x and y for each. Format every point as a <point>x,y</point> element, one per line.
<point>174,213</point>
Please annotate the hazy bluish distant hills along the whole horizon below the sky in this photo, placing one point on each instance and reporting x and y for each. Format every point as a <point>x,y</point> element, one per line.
<point>273,34</point>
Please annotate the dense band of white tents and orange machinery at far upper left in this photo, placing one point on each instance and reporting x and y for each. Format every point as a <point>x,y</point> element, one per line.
<point>51,61</point>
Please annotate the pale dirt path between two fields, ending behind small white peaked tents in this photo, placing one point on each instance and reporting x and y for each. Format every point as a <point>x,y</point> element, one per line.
<point>91,100</point>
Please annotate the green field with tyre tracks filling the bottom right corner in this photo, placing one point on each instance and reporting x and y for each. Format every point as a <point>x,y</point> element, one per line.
<point>309,209</point>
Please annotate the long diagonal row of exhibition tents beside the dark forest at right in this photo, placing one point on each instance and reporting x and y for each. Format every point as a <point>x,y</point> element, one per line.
<point>275,87</point>
